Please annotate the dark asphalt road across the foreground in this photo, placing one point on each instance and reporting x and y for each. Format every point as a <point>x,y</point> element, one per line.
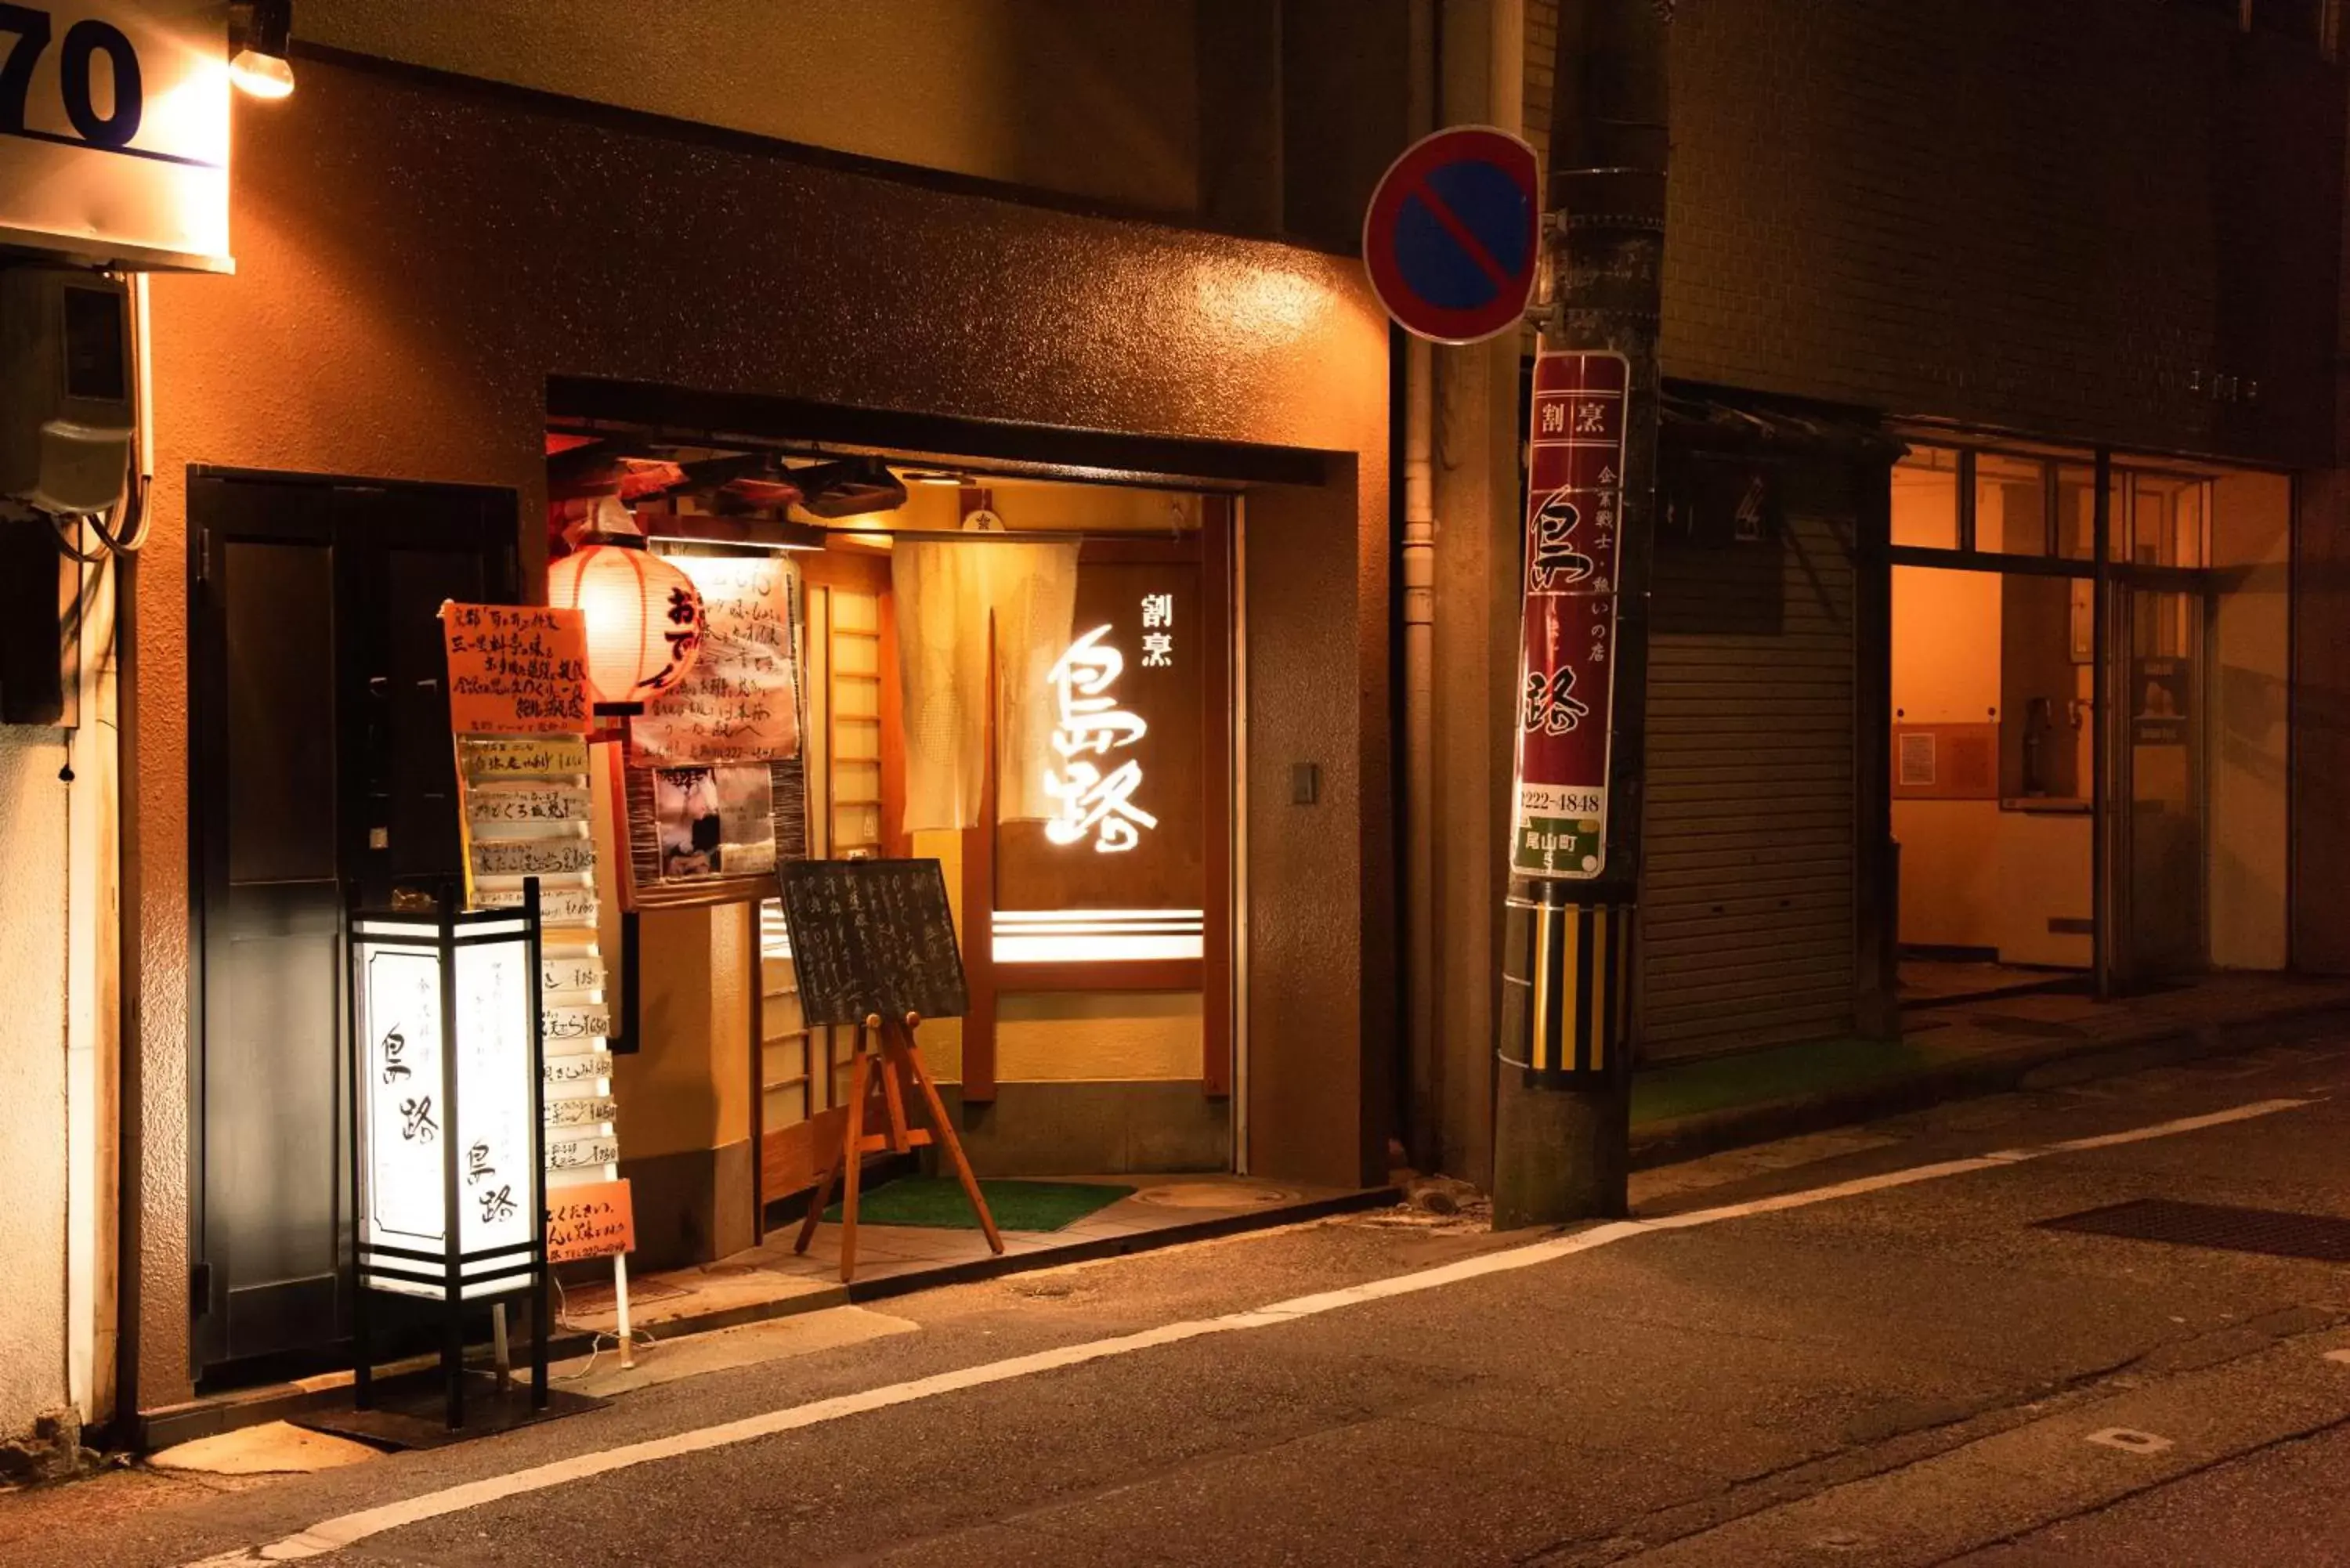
<point>1853,1348</point>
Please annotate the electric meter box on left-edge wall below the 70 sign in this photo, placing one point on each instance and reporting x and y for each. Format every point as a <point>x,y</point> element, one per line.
<point>67,391</point>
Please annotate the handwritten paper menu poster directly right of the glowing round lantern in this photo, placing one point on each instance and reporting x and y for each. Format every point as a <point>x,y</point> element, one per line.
<point>741,697</point>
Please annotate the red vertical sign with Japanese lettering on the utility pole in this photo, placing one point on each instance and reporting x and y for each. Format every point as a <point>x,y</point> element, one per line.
<point>1566,662</point>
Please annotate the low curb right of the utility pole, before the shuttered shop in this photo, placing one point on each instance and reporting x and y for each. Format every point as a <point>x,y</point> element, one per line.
<point>1679,1139</point>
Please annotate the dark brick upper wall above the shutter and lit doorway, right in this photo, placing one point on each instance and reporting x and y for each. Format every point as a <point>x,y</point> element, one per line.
<point>2006,213</point>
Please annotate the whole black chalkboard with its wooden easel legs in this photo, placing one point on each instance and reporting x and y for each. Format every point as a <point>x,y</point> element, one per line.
<point>873,946</point>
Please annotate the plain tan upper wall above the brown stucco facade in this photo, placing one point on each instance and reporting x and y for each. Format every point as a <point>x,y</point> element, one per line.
<point>1068,95</point>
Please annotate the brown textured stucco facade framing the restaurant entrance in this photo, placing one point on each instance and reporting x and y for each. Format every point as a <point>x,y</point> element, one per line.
<point>412,267</point>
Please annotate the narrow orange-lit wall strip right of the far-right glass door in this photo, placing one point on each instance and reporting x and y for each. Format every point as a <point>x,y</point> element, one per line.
<point>2252,530</point>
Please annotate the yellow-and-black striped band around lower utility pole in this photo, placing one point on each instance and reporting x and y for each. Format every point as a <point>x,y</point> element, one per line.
<point>1578,1005</point>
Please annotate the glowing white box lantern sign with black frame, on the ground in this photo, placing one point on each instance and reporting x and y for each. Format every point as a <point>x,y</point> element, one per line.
<point>448,1104</point>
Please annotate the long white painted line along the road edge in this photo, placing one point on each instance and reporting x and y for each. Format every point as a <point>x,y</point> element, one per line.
<point>347,1529</point>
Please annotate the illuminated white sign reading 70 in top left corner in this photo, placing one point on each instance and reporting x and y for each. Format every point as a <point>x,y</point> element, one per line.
<point>114,130</point>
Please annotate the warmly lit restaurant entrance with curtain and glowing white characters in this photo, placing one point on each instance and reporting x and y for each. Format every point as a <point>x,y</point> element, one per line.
<point>1021,676</point>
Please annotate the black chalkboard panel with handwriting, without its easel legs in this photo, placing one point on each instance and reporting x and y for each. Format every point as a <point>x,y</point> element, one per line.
<point>873,937</point>
